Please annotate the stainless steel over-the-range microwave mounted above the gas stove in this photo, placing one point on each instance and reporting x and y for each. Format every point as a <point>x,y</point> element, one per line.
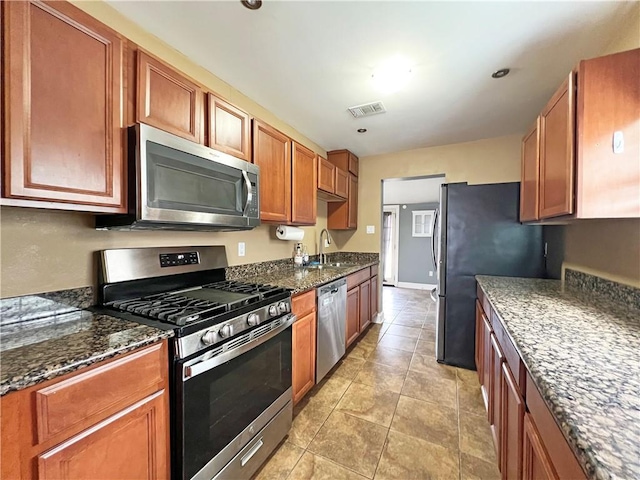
<point>176,184</point>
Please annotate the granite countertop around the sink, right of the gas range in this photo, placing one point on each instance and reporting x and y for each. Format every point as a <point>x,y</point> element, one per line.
<point>302,279</point>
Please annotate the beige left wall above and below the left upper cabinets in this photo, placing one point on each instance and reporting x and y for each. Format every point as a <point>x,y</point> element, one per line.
<point>49,250</point>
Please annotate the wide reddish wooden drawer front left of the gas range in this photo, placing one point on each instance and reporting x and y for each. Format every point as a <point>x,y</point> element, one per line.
<point>89,397</point>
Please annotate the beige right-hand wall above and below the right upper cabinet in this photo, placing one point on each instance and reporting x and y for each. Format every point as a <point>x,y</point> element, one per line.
<point>609,248</point>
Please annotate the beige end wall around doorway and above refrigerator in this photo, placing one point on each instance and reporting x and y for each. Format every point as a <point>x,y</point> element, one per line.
<point>494,160</point>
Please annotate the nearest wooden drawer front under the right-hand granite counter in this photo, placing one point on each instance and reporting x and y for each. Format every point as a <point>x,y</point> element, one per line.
<point>562,457</point>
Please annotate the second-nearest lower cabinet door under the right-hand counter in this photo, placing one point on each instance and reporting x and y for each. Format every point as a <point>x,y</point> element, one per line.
<point>511,426</point>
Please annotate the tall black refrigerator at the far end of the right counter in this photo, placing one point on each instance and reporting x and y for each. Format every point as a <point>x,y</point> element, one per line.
<point>479,234</point>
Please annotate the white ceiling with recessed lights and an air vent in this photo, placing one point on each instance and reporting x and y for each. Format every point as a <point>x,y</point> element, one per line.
<point>307,61</point>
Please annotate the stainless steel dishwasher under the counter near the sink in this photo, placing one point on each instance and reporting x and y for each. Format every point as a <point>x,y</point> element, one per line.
<point>332,326</point>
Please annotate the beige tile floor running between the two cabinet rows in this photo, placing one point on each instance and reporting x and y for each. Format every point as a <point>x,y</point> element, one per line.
<point>388,410</point>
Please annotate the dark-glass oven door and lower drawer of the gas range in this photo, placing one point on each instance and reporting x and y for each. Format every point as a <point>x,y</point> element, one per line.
<point>230,394</point>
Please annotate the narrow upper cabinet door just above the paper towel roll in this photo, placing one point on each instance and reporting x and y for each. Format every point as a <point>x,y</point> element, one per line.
<point>304,199</point>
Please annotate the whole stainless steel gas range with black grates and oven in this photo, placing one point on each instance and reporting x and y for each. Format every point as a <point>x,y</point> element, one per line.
<point>231,355</point>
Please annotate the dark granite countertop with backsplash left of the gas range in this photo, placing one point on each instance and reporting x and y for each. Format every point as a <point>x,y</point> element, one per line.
<point>37,344</point>
